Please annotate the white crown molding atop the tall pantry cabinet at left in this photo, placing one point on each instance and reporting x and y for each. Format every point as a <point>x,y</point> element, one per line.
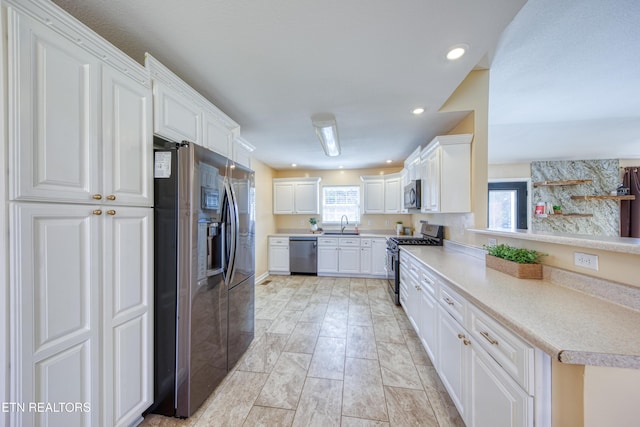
<point>75,31</point>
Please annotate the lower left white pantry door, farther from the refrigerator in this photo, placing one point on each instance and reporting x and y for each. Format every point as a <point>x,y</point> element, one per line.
<point>55,286</point>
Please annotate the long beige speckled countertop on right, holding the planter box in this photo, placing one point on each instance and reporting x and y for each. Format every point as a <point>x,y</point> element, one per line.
<point>569,325</point>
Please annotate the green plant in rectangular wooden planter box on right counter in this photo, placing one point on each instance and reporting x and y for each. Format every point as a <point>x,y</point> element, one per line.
<point>518,262</point>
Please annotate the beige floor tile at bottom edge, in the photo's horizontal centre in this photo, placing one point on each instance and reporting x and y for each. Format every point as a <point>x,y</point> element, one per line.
<point>320,403</point>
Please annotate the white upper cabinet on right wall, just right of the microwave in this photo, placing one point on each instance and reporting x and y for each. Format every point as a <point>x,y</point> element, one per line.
<point>446,170</point>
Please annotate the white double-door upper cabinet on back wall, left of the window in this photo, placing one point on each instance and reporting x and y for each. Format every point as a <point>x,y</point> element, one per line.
<point>296,196</point>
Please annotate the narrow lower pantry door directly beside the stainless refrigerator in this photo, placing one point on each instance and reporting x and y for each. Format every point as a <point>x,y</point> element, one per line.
<point>127,292</point>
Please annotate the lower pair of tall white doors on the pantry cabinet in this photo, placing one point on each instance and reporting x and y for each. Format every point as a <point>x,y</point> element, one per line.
<point>82,308</point>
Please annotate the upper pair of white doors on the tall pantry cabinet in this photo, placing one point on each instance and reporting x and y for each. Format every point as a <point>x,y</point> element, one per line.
<point>62,97</point>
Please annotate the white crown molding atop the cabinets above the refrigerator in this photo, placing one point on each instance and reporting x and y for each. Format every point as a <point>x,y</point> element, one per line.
<point>157,71</point>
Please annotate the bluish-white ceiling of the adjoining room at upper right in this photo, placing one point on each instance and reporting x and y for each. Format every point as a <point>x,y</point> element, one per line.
<point>565,83</point>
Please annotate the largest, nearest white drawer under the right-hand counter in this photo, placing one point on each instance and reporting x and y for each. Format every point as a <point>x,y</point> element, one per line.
<point>510,351</point>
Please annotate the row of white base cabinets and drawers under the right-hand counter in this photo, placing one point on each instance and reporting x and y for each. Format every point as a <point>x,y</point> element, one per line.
<point>487,370</point>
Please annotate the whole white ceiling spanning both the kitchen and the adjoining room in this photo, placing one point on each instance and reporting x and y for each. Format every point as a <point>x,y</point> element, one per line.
<point>271,64</point>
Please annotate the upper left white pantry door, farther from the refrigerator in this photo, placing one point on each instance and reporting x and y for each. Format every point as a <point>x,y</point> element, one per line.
<point>54,105</point>
